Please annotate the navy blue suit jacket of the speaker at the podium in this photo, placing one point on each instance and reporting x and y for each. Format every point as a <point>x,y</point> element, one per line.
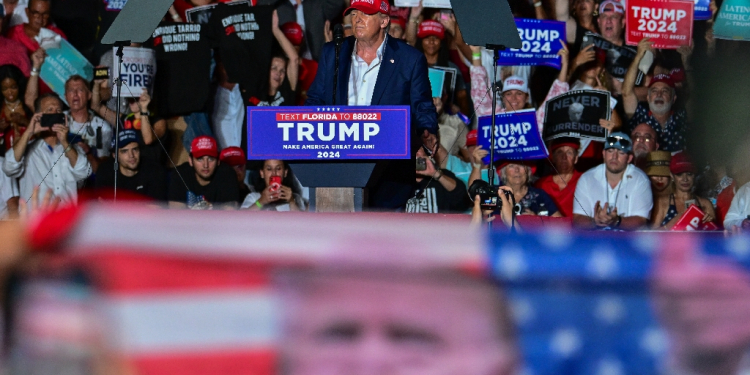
<point>402,82</point>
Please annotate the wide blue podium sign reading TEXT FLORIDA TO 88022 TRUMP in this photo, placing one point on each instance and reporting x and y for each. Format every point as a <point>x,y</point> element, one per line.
<point>341,133</point>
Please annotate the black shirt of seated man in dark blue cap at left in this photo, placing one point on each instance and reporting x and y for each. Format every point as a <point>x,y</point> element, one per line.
<point>151,179</point>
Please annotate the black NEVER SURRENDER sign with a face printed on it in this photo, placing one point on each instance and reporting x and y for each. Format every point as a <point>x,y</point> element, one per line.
<point>577,114</point>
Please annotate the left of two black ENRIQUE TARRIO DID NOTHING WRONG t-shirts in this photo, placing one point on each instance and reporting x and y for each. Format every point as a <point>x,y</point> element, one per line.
<point>183,61</point>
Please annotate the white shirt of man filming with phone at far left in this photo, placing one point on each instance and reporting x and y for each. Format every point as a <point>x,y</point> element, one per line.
<point>42,160</point>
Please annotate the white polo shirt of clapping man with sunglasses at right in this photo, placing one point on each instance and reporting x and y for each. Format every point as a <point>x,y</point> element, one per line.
<point>632,195</point>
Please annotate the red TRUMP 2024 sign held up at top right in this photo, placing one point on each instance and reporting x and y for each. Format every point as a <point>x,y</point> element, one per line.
<point>669,23</point>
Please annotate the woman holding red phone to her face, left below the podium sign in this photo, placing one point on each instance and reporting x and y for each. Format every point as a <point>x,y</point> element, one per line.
<point>276,193</point>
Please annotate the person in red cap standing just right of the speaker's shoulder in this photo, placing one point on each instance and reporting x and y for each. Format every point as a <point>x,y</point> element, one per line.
<point>430,38</point>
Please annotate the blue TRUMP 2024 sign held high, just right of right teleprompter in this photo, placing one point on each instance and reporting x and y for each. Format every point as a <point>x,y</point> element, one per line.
<point>541,42</point>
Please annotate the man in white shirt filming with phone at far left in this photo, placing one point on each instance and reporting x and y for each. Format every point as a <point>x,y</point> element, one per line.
<point>43,156</point>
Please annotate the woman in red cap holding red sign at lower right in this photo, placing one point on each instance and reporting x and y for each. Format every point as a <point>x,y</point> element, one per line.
<point>683,175</point>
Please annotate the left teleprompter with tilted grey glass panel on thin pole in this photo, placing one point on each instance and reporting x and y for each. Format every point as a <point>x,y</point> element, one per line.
<point>136,22</point>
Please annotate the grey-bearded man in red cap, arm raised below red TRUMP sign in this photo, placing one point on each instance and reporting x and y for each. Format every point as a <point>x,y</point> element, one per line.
<point>669,125</point>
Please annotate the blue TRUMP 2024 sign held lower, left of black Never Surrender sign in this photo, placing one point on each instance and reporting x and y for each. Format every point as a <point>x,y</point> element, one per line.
<point>516,136</point>
